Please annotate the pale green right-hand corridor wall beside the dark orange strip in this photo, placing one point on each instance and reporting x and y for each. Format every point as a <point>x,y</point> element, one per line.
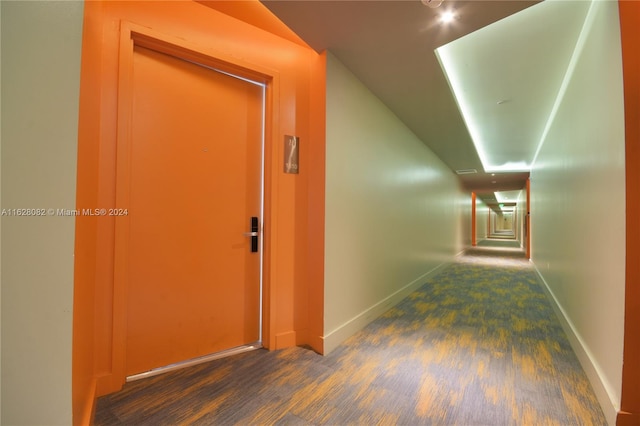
<point>578,206</point>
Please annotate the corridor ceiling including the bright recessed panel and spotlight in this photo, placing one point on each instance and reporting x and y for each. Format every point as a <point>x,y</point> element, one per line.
<point>505,60</point>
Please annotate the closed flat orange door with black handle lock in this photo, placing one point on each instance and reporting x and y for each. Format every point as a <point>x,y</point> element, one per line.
<point>195,182</point>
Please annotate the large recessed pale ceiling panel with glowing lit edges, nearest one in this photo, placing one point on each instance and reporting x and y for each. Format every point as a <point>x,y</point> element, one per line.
<point>506,78</point>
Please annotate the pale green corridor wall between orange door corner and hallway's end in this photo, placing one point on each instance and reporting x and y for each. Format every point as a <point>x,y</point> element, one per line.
<point>393,209</point>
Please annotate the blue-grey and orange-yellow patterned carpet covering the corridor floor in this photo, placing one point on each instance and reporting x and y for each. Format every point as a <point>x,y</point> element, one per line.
<point>478,344</point>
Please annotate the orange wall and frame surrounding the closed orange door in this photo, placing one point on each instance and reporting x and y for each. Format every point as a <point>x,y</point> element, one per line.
<point>294,211</point>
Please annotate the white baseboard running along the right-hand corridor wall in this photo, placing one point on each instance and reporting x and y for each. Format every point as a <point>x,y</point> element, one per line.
<point>601,387</point>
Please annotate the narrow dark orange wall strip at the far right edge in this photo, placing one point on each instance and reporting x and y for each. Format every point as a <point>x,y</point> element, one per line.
<point>629,23</point>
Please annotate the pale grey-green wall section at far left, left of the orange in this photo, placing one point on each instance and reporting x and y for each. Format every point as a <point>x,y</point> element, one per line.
<point>40,83</point>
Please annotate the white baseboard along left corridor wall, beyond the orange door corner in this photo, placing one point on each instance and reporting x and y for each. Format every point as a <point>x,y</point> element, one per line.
<point>341,333</point>
